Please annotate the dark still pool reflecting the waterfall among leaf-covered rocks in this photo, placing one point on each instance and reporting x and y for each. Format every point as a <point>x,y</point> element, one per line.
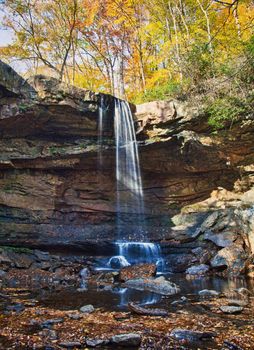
<point>117,297</point>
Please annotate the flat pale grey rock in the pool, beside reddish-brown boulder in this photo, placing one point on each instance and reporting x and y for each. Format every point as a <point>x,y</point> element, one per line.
<point>158,285</point>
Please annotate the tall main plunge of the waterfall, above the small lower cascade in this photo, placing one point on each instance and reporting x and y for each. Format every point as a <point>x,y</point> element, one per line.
<point>130,200</point>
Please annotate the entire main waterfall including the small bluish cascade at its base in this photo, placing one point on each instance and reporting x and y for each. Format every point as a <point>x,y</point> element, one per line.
<point>132,247</point>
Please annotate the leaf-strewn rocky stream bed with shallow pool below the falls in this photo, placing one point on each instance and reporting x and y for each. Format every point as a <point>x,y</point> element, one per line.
<point>51,301</point>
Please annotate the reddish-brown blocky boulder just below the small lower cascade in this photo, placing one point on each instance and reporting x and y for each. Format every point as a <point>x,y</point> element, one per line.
<point>137,271</point>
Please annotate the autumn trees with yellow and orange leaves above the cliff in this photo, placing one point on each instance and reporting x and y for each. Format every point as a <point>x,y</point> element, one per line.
<point>135,49</point>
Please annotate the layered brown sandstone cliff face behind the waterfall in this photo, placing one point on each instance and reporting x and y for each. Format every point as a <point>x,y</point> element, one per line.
<point>54,192</point>
